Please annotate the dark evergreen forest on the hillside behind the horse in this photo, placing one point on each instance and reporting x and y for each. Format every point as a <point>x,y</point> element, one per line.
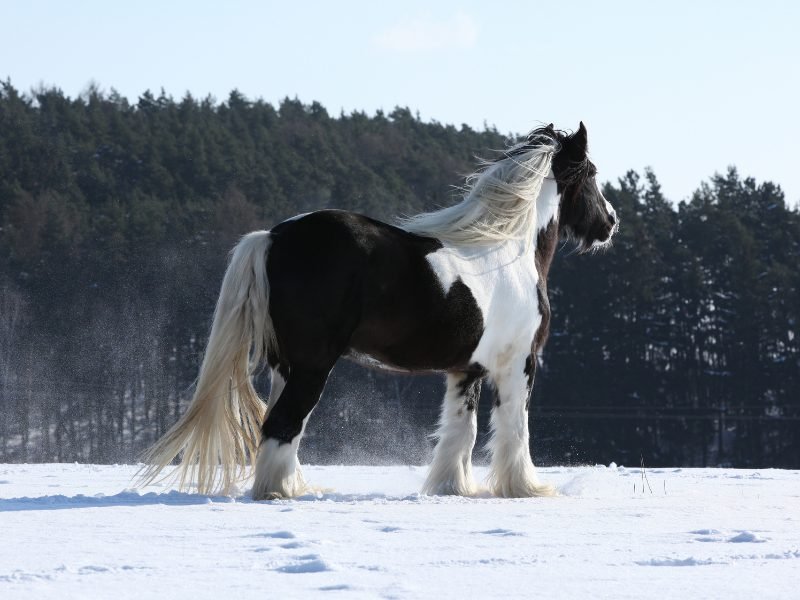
<point>678,345</point>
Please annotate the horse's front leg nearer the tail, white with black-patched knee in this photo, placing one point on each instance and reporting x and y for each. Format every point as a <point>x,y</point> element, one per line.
<point>451,469</point>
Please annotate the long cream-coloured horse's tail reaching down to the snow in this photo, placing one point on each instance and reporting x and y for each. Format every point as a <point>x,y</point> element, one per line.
<point>220,431</point>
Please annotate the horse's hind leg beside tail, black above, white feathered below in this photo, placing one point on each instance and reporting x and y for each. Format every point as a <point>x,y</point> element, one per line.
<point>277,472</point>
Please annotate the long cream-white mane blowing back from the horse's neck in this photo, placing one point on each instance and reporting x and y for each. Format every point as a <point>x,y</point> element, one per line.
<point>499,198</point>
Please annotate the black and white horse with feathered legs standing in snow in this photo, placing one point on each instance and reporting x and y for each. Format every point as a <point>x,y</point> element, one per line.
<point>460,291</point>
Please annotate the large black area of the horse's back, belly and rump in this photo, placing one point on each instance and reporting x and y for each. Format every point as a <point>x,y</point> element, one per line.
<point>343,283</point>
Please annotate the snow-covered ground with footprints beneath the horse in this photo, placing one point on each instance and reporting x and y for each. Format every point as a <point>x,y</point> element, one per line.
<point>81,531</point>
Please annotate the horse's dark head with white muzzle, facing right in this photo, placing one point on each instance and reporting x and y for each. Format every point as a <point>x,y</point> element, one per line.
<point>584,214</point>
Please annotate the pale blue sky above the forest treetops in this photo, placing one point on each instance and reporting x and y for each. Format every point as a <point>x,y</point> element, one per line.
<point>686,87</point>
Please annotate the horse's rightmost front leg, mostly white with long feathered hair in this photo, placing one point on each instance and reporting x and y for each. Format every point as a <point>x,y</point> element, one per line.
<point>512,474</point>
